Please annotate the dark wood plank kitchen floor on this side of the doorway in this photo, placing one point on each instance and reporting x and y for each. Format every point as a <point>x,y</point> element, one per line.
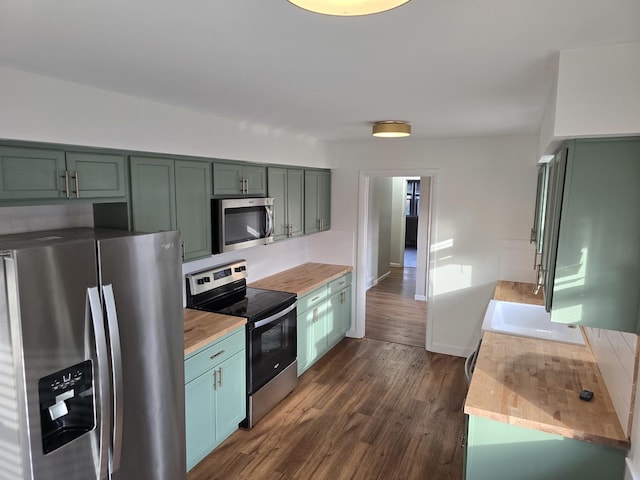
<point>367,410</point>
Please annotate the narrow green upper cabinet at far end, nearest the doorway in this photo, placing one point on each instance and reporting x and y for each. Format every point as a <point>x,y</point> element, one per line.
<point>317,200</point>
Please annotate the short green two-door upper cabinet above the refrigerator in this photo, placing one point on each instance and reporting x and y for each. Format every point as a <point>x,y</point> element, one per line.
<point>35,173</point>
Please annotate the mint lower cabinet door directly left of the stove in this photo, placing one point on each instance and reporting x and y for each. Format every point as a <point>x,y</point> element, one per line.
<point>230,396</point>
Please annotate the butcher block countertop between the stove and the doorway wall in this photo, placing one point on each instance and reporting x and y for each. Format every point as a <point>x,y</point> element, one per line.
<point>303,278</point>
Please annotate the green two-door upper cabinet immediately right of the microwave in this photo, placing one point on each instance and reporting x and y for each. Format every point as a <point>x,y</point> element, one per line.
<point>286,186</point>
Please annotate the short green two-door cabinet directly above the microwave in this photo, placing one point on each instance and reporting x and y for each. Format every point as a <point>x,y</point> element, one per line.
<point>234,179</point>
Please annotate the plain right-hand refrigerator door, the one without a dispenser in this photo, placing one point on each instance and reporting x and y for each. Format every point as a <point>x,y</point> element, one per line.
<point>141,278</point>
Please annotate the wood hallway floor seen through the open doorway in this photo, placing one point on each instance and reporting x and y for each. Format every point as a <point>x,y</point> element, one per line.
<point>392,313</point>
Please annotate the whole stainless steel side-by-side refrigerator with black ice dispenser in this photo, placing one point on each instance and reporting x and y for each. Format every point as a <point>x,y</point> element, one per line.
<point>91,356</point>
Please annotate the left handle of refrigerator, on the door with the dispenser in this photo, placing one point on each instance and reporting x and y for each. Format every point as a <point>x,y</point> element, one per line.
<point>94,310</point>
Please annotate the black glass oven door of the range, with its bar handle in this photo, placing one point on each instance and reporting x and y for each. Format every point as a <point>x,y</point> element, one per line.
<point>272,344</point>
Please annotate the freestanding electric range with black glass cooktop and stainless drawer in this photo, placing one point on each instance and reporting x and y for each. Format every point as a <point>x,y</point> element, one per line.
<point>271,331</point>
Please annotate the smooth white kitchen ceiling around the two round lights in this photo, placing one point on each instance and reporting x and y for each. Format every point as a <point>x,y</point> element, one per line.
<point>450,67</point>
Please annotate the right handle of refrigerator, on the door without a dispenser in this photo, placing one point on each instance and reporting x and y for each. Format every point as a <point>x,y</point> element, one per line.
<point>116,368</point>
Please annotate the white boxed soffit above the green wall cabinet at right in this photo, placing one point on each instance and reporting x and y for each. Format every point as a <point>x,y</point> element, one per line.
<point>596,95</point>
